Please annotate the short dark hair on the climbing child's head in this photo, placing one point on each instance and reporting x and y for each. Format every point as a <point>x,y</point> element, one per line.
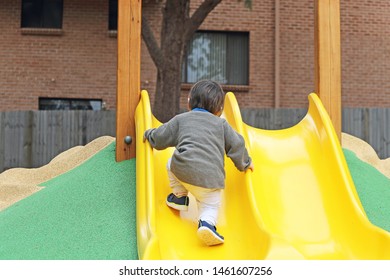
<point>208,95</point>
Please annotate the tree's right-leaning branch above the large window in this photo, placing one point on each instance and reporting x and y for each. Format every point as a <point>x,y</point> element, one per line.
<point>198,17</point>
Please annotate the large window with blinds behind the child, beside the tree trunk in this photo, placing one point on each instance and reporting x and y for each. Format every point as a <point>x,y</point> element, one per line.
<point>220,56</point>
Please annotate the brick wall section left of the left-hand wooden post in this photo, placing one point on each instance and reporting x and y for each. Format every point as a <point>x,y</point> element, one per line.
<point>79,63</point>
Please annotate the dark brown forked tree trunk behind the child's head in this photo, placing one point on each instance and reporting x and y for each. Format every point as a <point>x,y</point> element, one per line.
<point>176,32</point>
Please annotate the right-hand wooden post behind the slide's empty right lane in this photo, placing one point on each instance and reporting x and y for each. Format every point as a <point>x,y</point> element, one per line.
<point>328,58</point>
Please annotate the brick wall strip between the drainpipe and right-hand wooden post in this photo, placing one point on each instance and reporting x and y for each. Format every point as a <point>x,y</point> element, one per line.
<point>296,52</point>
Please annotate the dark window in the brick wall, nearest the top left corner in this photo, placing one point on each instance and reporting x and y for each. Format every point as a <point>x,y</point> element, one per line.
<point>42,14</point>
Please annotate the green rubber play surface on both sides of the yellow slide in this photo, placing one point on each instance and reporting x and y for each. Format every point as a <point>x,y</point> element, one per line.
<point>88,213</point>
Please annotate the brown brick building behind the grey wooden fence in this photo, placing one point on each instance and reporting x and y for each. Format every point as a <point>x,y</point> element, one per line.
<point>77,61</point>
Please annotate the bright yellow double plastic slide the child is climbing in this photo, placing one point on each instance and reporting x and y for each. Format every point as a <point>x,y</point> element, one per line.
<point>299,203</point>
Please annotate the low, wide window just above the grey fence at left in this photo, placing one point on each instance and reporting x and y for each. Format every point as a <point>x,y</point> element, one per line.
<point>69,104</point>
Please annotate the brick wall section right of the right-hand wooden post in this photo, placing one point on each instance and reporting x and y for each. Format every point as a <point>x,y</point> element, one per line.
<point>365,53</point>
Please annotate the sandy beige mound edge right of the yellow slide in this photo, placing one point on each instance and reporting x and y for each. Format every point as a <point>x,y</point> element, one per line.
<point>366,153</point>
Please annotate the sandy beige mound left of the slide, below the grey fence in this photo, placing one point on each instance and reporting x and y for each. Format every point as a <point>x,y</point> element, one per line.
<point>18,183</point>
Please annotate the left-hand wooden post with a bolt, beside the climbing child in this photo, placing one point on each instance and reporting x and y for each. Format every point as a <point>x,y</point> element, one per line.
<point>128,76</point>
